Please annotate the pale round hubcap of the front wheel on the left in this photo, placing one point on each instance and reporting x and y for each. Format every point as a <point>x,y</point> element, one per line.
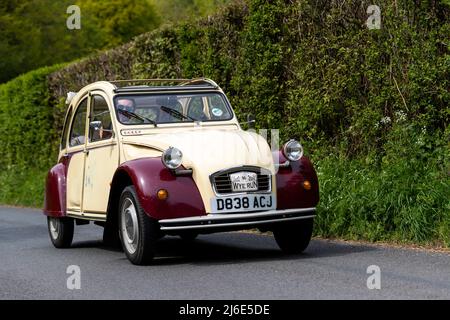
<point>129,225</point>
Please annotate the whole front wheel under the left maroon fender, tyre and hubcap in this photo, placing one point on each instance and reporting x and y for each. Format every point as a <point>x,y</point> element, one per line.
<point>138,232</point>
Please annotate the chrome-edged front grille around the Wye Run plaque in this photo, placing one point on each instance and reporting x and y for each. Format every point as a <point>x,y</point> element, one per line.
<point>222,184</point>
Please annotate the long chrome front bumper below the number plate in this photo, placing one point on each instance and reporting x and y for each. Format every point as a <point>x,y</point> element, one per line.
<point>235,221</point>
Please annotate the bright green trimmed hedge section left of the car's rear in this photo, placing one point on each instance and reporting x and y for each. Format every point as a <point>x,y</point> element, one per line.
<point>27,137</point>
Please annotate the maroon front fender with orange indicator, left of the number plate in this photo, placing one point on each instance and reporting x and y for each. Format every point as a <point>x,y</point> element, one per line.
<point>150,175</point>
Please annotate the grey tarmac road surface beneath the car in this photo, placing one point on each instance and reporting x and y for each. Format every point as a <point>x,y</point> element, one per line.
<point>219,266</point>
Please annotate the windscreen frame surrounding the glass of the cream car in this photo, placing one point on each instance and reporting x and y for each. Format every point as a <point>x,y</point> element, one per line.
<point>187,121</point>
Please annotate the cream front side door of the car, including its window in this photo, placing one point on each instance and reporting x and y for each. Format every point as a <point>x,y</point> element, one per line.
<point>102,156</point>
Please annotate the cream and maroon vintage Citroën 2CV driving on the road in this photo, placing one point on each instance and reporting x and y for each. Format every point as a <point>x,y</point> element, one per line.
<point>146,161</point>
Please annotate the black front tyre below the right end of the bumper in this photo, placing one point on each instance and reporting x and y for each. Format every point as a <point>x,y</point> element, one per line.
<point>294,237</point>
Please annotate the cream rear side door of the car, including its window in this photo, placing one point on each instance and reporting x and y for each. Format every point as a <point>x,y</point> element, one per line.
<point>76,152</point>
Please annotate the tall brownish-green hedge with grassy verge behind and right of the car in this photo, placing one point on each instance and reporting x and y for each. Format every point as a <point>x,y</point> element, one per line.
<point>370,106</point>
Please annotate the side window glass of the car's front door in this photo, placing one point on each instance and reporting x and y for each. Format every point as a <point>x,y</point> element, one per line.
<point>100,126</point>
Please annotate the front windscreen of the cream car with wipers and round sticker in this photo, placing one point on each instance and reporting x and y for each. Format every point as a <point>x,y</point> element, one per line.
<point>171,108</point>
